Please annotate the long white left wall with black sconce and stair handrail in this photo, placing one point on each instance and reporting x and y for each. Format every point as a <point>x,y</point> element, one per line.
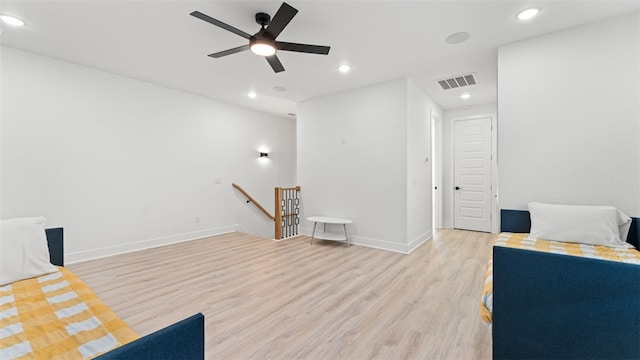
<point>123,165</point>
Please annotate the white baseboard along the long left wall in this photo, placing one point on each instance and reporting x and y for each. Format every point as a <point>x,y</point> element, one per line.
<point>79,256</point>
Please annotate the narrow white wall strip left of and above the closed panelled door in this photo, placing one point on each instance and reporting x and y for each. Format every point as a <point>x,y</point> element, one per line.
<point>447,168</point>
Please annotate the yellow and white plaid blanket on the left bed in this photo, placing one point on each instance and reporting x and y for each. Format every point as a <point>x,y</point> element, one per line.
<point>57,316</point>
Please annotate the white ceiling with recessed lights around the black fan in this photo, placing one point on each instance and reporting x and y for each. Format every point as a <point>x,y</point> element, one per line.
<point>158,42</point>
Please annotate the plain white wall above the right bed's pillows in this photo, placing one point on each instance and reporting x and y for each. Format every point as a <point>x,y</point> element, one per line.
<point>569,117</point>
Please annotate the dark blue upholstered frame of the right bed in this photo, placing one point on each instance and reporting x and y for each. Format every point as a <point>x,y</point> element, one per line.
<point>550,306</point>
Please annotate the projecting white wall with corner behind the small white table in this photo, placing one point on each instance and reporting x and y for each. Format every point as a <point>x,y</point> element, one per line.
<point>358,154</point>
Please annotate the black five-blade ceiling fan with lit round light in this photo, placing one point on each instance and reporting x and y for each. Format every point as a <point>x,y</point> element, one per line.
<point>264,41</point>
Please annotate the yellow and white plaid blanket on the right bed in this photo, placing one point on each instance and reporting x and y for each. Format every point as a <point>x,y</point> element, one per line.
<point>520,241</point>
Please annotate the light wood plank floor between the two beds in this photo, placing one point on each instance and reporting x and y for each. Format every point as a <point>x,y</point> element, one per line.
<point>286,300</point>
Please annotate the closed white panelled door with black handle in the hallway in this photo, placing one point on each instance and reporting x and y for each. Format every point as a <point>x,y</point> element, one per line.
<point>472,174</point>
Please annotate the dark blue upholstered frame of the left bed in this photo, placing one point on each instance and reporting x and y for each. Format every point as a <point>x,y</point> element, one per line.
<point>181,340</point>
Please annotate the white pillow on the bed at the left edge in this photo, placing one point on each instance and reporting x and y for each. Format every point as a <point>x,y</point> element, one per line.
<point>23,249</point>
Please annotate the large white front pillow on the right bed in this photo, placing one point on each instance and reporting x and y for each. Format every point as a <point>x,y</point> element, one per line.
<point>591,225</point>
